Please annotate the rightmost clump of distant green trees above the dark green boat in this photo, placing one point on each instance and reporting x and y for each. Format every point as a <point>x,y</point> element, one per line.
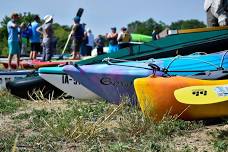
<point>187,24</point>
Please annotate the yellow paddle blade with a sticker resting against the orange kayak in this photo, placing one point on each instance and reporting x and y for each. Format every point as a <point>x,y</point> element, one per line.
<point>198,95</point>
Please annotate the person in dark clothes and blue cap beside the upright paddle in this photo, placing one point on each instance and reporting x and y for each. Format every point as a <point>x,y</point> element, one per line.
<point>77,33</point>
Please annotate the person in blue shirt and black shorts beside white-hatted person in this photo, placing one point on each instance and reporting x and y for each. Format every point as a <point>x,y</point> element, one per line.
<point>35,38</point>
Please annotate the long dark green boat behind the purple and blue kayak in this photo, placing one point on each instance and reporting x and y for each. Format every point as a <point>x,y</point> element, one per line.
<point>207,40</point>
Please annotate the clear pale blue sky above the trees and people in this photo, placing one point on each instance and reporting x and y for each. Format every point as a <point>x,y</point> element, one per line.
<point>100,15</point>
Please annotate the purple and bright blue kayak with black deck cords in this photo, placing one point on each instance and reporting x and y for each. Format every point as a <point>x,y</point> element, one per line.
<point>113,81</point>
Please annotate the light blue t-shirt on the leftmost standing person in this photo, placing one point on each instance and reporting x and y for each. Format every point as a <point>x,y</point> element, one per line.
<point>12,31</point>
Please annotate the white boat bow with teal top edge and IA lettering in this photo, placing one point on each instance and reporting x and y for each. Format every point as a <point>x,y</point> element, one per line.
<point>66,83</point>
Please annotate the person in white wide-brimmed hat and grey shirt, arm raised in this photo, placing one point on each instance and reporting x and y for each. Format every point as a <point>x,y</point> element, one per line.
<point>48,36</point>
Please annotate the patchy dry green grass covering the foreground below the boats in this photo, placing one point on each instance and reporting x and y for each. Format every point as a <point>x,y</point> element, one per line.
<point>91,126</point>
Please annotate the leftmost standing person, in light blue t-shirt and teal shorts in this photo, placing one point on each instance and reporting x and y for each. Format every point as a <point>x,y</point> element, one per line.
<point>13,39</point>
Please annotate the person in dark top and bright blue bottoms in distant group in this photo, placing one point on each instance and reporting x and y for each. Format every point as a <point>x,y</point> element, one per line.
<point>112,38</point>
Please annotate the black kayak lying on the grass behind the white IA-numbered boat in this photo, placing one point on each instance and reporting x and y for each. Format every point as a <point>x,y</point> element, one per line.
<point>30,86</point>
